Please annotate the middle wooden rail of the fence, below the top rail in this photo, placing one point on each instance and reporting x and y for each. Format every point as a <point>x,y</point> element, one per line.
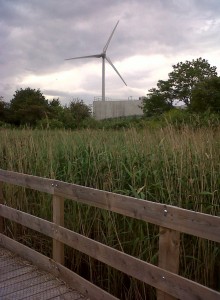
<point>161,279</point>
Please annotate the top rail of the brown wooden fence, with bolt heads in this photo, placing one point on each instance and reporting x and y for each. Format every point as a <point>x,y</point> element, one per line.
<point>182,220</point>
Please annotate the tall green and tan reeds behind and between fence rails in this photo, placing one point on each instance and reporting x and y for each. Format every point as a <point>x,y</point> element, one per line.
<point>177,167</point>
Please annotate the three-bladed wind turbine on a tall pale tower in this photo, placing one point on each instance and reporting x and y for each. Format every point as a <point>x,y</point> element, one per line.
<point>104,57</point>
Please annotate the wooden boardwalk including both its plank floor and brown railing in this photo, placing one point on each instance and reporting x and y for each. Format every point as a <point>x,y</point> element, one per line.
<point>15,280</point>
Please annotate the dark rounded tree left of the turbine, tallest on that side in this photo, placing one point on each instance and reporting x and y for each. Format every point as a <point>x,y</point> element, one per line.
<point>28,106</point>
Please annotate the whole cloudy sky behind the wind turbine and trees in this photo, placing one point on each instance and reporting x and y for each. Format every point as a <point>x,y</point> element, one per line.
<point>36,36</point>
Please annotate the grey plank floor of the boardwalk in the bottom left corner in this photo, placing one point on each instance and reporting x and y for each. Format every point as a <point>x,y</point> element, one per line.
<point>19,279</point>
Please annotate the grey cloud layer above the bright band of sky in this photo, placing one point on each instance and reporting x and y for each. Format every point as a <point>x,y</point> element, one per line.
<point>36,36</point>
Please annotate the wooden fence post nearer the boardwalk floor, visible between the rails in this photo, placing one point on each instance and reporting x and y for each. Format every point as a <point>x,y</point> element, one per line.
<point>58,219</point>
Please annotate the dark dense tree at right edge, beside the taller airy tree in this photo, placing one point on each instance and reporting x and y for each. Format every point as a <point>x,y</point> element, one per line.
<point>206,96</point>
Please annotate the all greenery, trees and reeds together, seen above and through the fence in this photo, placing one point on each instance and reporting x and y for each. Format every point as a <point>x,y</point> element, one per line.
<point>170,155</point>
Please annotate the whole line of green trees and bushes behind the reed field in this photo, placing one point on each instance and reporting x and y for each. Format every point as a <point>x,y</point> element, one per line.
<point>194,85</point>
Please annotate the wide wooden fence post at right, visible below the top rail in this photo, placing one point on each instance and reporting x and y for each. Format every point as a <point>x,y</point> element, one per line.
<point>169,247</point>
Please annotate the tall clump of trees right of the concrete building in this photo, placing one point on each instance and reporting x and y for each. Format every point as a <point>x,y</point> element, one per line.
<point>193,84</point>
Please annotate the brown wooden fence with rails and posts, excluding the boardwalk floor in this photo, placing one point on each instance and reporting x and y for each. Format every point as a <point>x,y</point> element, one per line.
<point>171,220</point>
